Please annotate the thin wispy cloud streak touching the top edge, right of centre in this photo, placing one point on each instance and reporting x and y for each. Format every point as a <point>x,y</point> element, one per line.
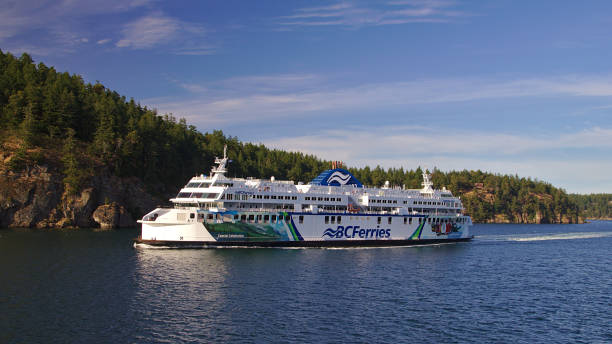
<point>354,14</point>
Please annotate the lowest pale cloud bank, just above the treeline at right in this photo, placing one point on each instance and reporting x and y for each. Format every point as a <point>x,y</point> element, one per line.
<point>410,146</point>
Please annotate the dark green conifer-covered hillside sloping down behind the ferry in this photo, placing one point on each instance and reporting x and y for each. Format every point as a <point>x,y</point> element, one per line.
<point>81,131</point>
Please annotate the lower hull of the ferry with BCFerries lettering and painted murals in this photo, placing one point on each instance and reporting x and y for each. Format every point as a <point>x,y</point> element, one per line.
<point>205,228</point>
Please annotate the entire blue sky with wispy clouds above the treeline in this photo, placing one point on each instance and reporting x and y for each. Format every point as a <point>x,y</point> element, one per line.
<point>509,87</point>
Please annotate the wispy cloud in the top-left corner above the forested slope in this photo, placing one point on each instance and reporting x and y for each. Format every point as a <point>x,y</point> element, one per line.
<point>63,26</point>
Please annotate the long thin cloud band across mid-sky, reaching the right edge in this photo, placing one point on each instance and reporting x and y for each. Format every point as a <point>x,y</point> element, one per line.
<point>287,96</point>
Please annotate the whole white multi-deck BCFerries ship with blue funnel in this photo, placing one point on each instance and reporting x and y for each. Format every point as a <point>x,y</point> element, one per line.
<point>333,210</point>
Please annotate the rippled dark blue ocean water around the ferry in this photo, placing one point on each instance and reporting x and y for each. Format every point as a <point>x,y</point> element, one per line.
<point>511,284</point>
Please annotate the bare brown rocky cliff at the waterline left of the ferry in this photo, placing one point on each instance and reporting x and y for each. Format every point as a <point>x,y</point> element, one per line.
<point>34,195</point>
